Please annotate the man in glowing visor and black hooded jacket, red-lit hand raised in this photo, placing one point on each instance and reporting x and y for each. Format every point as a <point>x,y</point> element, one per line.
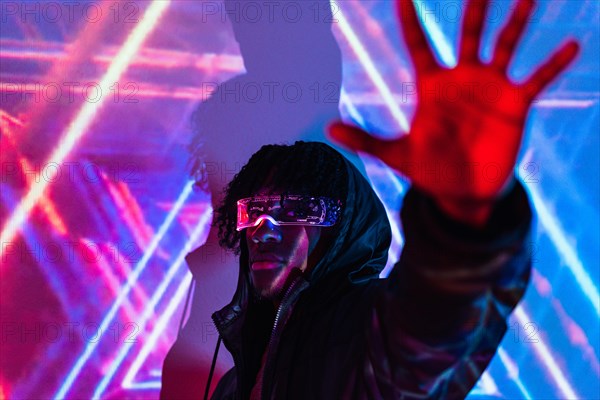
<point>310,319</point>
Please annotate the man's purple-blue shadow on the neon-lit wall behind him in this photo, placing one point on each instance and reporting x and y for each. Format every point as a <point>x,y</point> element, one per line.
<point>290,91</point>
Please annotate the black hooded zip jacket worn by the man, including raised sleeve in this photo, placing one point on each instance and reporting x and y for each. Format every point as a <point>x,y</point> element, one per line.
<point>428,331</point>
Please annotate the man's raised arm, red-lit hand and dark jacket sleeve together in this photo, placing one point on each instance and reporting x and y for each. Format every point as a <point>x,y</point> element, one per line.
<point>465,263</point>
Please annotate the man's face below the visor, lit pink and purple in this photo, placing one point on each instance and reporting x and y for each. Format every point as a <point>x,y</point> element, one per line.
<point>275,252</point>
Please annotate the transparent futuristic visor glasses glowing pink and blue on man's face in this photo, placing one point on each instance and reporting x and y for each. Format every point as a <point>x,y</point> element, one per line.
<point>288,210</point>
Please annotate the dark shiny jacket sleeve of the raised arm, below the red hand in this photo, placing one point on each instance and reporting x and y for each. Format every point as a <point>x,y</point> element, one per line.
<point>442,313</point>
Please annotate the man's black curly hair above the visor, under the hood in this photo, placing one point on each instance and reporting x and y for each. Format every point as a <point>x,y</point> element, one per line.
<point>311,168</point>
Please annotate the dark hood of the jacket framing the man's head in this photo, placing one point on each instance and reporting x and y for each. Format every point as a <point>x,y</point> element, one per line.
<point>358,252</point>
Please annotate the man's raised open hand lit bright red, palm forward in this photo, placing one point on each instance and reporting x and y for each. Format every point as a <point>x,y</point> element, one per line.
<point>469,120</point>
